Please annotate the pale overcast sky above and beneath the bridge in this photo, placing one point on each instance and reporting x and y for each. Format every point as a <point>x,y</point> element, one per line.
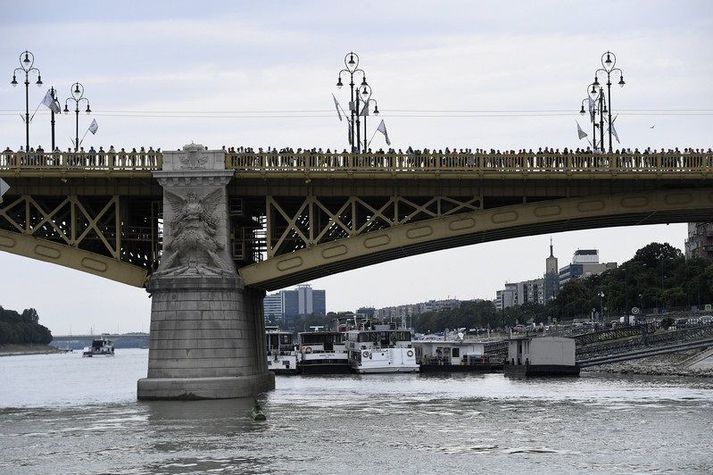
<point>242,73</point>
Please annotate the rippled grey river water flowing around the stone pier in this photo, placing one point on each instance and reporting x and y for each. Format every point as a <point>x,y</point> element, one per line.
<point>66,414</point>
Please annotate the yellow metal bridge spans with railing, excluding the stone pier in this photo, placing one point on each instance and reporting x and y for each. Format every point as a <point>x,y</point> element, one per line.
<point>296,216</point>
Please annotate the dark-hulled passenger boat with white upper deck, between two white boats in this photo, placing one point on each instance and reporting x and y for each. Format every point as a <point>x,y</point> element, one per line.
<point>323,352</point>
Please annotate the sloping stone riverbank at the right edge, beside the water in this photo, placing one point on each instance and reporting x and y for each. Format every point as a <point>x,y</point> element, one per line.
<point>674,364</point>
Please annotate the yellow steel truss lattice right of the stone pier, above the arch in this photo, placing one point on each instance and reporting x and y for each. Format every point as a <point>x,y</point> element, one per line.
<point>300,223</point>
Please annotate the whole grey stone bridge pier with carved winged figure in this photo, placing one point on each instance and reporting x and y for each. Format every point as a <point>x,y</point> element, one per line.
<point>207,329</point>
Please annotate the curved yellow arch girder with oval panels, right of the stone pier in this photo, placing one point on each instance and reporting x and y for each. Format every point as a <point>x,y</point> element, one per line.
<point>445,232</point>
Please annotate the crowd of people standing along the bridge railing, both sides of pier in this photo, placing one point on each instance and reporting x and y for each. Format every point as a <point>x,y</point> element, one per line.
<point>449,158</point>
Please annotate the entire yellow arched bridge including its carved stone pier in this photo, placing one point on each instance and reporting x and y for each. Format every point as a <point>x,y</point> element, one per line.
<point>208,232</point>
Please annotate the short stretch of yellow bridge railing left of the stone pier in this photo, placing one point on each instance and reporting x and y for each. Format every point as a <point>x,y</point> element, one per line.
<point>101,160</point>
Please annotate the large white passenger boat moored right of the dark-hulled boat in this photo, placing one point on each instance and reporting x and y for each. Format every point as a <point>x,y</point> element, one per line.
<point>381,350</point>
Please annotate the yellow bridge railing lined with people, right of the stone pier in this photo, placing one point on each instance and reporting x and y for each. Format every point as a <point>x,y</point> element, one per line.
<point>315,162</point>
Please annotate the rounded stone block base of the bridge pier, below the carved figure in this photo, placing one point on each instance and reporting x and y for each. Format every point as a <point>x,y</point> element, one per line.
<point>206,340</point>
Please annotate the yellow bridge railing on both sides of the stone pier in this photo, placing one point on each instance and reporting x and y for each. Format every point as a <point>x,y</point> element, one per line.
<point>378,162</point>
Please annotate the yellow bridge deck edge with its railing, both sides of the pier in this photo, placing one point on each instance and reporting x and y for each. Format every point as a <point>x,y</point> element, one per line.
<point>377,165</point>
